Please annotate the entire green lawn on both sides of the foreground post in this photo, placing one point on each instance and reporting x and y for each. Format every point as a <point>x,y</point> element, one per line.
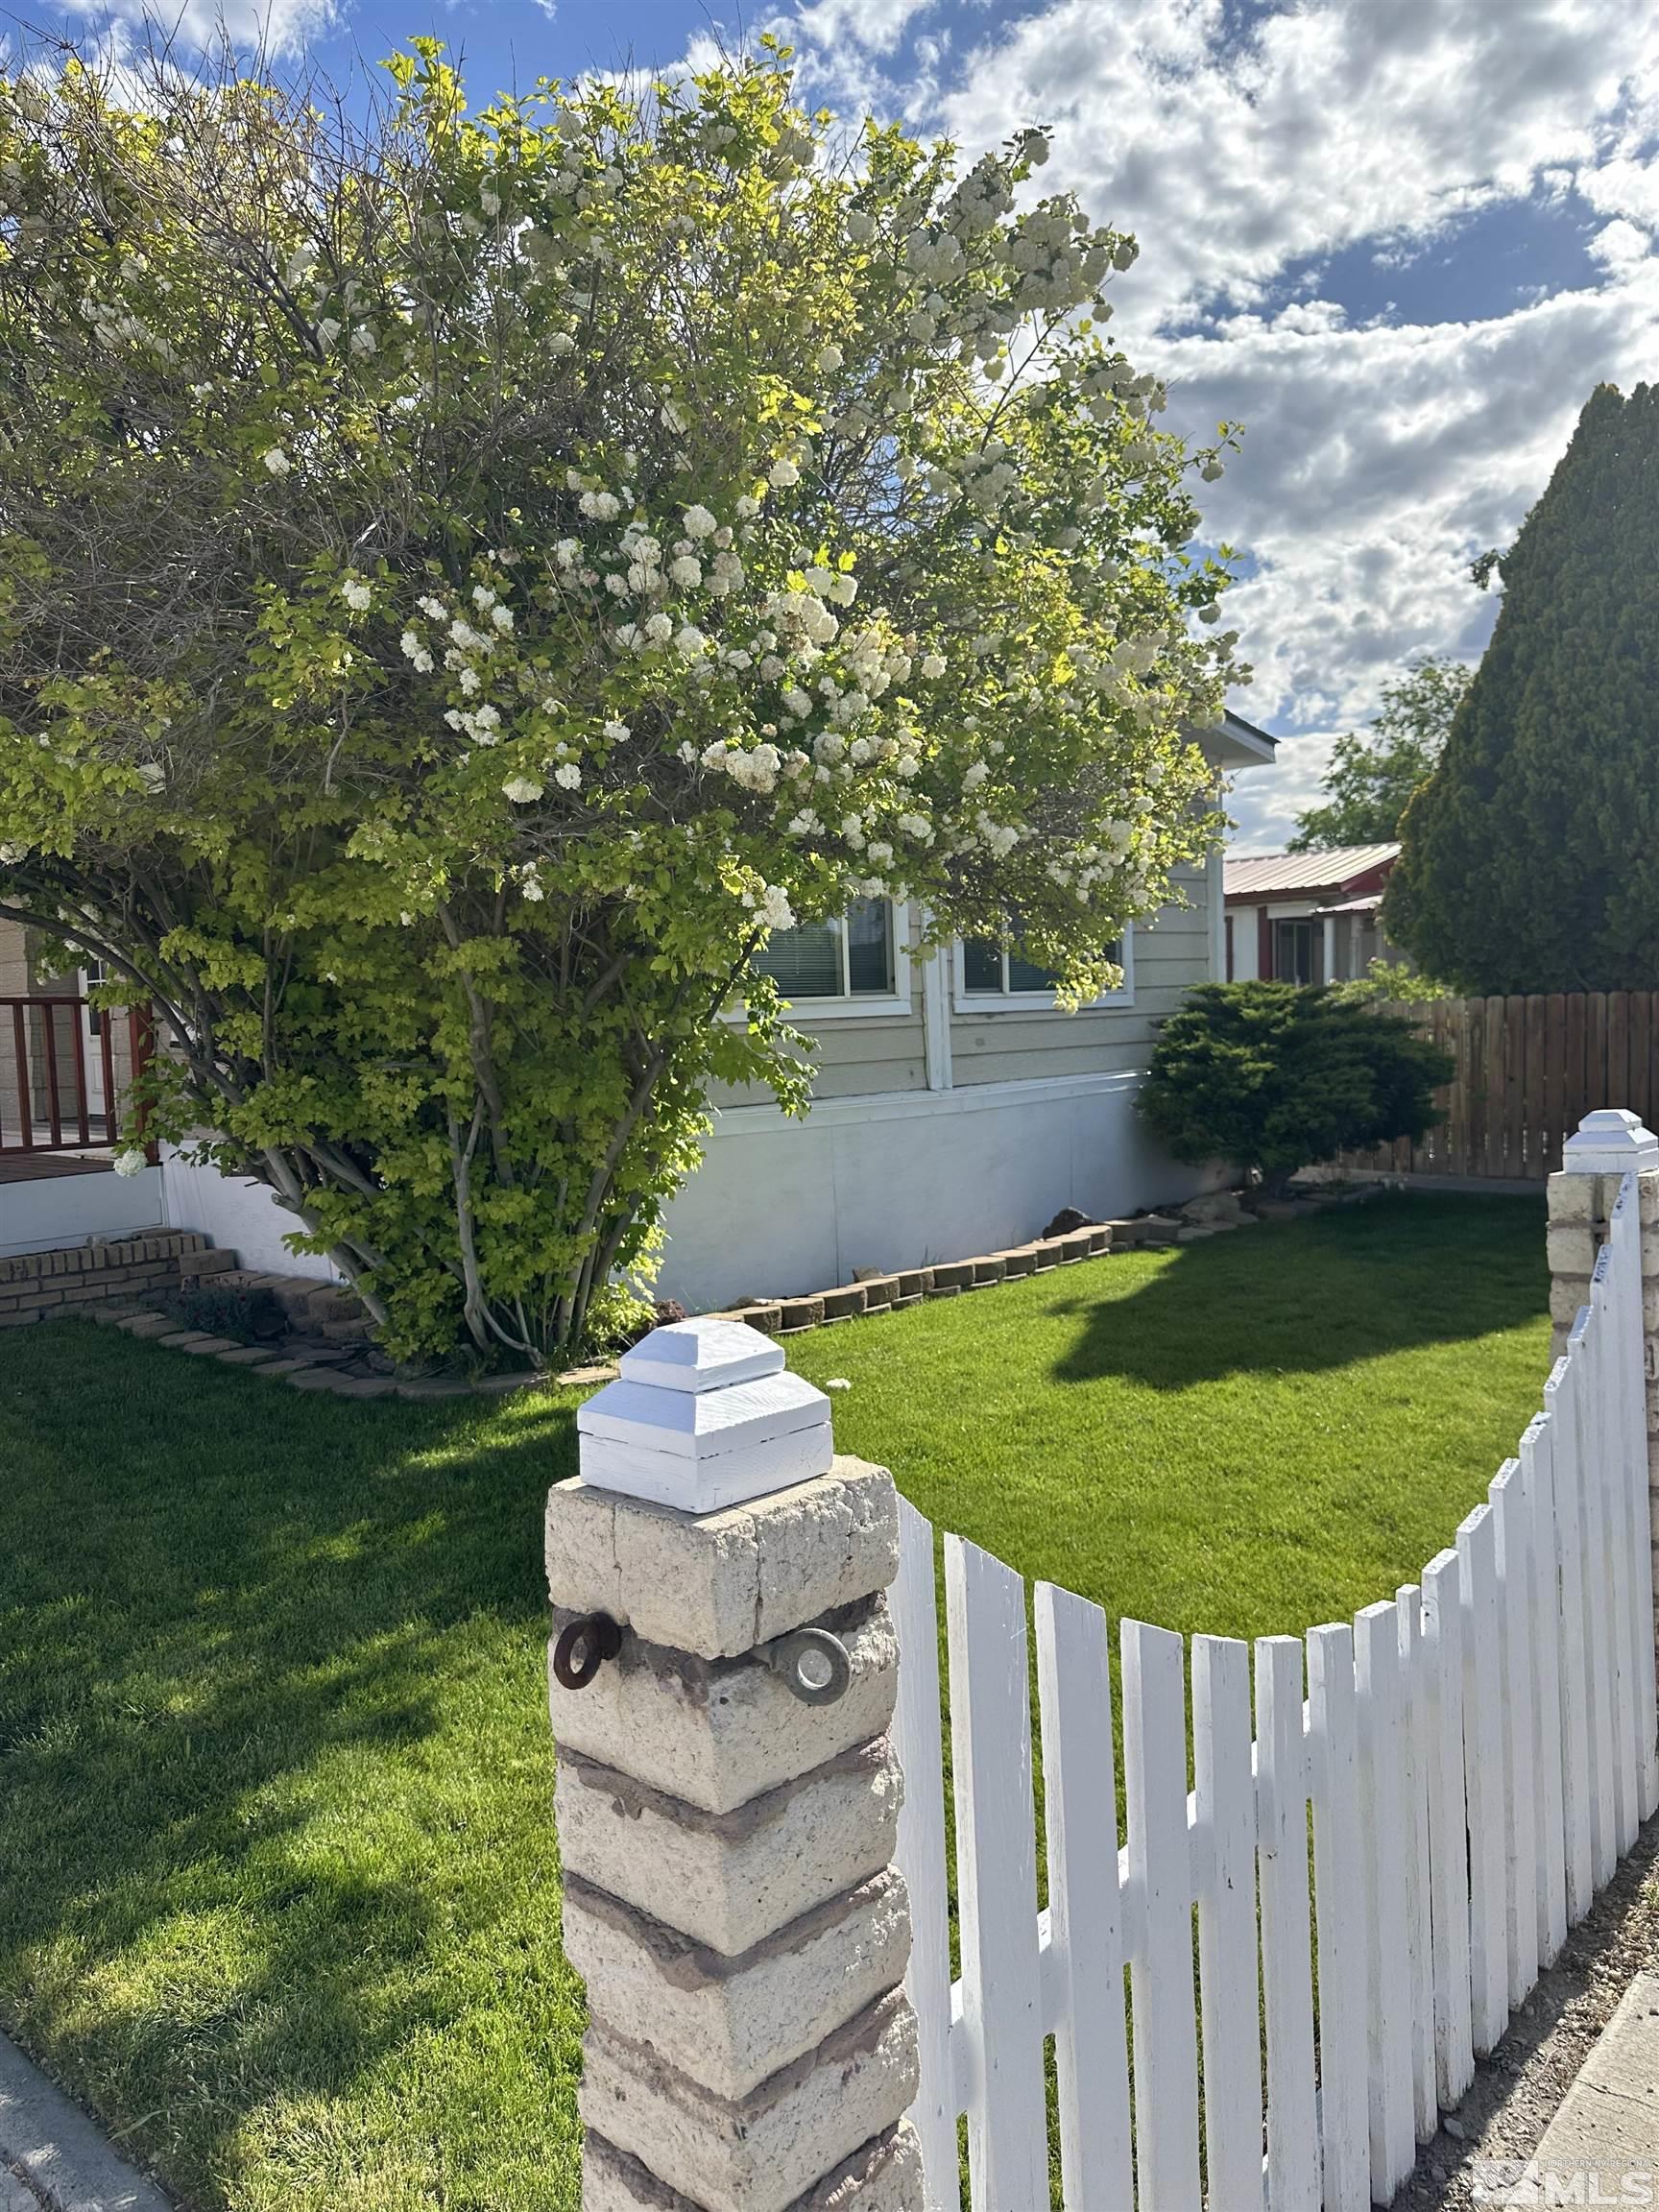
<point>278,1877</point>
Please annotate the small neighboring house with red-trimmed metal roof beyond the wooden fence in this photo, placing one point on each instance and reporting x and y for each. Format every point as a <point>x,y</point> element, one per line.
<point>1308,917</point>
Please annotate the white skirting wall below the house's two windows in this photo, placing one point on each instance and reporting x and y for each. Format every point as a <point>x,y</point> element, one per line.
<point>901,1180</point>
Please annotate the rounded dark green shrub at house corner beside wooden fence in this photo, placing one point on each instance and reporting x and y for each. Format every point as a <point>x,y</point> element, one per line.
<point>1277,1078</point>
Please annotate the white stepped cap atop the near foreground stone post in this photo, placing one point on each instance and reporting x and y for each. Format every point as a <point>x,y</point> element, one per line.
<point>702,1417</point>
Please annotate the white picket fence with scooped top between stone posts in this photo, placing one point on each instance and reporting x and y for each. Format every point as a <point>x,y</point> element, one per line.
<point>1477,1757</point>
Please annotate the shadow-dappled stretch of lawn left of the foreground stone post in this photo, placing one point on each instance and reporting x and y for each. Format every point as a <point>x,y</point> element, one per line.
<point>275,1775</point>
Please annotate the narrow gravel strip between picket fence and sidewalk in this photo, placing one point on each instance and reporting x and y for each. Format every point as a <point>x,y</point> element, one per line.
<point>1523,2083</point>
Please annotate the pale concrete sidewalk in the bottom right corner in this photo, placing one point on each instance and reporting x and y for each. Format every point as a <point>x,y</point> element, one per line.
<point>1605,2140</point>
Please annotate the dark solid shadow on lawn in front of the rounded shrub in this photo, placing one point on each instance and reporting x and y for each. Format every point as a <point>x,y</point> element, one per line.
<point>1322,1293</point>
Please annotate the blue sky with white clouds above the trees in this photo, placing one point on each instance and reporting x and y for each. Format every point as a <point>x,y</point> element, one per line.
<point>1401,240</point>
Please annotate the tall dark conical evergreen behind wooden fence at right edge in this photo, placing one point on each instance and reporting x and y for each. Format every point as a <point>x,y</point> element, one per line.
<point>1532,855</point>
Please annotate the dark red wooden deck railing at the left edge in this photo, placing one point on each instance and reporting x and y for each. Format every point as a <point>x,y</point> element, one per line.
<point>63,1083</point>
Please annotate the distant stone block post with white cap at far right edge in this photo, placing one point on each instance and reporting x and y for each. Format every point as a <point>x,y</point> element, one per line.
<point>1580,1202</point>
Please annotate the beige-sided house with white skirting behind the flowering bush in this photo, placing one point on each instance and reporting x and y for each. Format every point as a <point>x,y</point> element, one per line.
<point>957,1109</point>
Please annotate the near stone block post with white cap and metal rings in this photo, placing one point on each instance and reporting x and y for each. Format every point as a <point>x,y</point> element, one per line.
<point>724,1678</point>
